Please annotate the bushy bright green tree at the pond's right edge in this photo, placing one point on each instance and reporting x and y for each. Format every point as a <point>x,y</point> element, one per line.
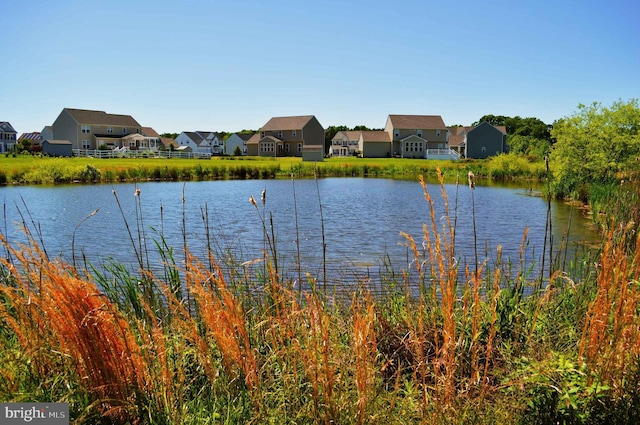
<point>598,144</point>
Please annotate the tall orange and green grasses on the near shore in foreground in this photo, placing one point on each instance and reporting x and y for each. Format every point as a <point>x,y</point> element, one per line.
<point>204,344</point>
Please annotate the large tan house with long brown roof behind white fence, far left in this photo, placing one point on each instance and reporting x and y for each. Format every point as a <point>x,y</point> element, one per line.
<point>87,129</point>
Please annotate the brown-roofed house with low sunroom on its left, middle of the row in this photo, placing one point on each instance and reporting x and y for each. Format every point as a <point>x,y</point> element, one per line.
<point>288,136</point>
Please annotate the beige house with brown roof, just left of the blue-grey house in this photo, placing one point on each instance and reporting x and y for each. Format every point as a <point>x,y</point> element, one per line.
<point>417,136</point>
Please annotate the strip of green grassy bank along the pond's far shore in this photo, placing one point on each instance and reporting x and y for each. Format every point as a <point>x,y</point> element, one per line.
<point>43,170</point>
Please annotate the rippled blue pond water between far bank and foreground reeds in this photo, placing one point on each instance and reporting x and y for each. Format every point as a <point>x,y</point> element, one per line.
<point>360,220</point>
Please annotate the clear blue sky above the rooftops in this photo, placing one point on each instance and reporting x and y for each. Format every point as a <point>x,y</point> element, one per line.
<point>226,65</point>
